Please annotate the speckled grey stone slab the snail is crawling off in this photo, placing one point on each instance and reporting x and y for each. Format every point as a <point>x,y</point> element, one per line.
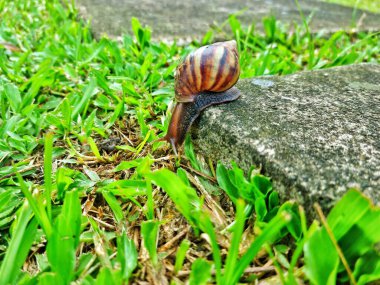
<point>315,133</point>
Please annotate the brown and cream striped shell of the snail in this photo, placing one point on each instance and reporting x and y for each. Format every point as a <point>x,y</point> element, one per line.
<point>212,68</point>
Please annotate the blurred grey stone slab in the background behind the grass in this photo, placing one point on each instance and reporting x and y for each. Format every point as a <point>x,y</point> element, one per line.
<point>186,20</point>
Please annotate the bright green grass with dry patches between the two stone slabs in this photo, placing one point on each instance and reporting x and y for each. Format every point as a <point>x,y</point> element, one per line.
<point>87,195</point>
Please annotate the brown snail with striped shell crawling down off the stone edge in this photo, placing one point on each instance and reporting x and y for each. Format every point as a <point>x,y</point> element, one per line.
<point>204,78</point>
